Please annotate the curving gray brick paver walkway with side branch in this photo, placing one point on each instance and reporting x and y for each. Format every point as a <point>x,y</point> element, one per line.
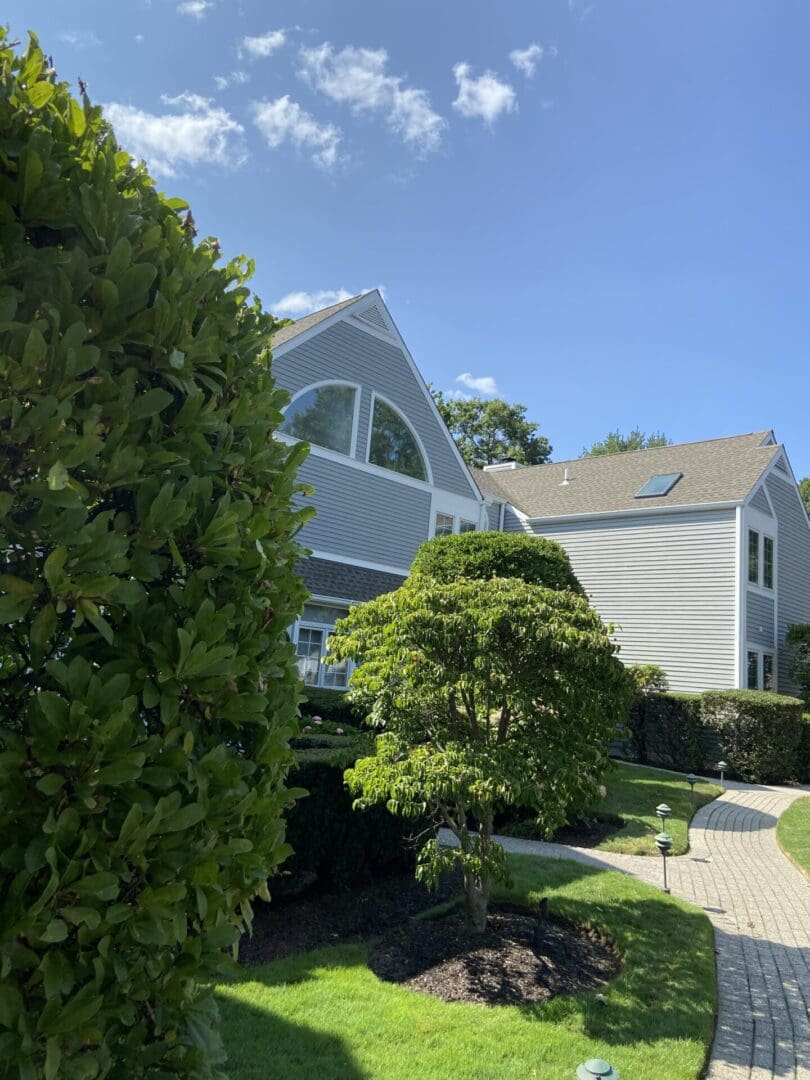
<point>760,906</point>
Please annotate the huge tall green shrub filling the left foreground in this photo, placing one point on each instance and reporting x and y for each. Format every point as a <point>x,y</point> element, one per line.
<point>147,695</point>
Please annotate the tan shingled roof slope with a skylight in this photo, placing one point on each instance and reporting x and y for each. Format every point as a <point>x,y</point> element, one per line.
<point>714,471</point>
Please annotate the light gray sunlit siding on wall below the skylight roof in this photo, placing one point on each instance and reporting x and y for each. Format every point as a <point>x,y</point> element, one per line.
<point>668,585</point>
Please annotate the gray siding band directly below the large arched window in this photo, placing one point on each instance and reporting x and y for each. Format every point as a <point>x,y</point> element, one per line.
<point>363,517</point>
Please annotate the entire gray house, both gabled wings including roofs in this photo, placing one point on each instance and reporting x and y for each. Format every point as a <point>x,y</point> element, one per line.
<point>699,555</point>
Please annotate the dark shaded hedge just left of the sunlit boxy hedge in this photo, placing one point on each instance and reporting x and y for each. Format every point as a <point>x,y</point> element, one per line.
<point>668,730</point>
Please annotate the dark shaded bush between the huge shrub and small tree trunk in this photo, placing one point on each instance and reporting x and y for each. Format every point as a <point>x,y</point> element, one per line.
<point>335,847</point>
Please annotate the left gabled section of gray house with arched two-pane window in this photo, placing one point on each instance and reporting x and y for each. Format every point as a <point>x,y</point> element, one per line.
<point>386,472</point>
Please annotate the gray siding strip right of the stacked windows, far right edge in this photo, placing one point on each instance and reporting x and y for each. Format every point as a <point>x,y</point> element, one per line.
<point>793,570</point>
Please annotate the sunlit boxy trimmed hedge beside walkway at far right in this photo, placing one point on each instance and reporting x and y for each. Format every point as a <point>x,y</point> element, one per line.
<point>760,733</point>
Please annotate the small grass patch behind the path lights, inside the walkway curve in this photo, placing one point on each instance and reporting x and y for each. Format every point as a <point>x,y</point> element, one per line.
<point>633,793</point>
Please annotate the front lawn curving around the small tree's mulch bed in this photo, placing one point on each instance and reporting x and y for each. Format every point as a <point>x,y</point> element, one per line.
<point>325,1015</point>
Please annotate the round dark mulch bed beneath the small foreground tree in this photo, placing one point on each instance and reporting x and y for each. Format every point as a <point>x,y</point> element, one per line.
<point>519,960</point>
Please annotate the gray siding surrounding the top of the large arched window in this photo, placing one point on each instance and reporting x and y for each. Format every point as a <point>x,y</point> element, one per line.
<point>347,354</point>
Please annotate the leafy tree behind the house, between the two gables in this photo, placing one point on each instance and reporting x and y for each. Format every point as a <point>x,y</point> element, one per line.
<point>491,430</point>
